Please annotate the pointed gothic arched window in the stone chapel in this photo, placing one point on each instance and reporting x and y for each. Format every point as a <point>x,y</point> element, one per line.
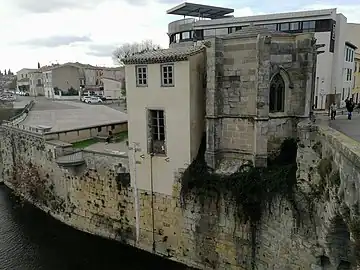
<point>277,94</point>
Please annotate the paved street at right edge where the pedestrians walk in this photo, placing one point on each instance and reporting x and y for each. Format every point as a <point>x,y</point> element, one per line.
<point>350,128</point>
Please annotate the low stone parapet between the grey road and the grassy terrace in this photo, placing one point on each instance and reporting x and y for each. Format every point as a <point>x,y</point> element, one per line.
<point>76,135</point>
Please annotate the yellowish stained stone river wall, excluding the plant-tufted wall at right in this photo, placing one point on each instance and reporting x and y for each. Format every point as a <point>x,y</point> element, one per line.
<point>95,198</point>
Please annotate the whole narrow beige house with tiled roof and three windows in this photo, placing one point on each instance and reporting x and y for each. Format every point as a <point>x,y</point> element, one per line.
<point>165,94</point>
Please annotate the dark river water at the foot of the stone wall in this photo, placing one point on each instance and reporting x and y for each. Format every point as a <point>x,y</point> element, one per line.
<point>31,240</point>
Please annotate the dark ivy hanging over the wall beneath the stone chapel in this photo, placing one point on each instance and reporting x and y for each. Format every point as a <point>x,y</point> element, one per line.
<point>251,190</point>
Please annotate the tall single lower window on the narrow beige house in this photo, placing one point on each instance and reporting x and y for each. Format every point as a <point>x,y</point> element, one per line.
<point>157,132</point>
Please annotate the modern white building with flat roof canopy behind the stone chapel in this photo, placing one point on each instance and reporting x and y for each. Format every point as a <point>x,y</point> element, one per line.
<point>202,22</point>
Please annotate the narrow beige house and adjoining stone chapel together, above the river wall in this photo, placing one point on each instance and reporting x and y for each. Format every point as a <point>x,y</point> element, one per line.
<point>258,83</point>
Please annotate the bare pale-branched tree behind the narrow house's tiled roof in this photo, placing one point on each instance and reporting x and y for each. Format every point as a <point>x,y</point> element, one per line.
<point>128,49</point>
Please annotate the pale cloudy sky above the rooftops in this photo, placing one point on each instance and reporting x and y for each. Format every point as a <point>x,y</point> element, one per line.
<point>87,31</point>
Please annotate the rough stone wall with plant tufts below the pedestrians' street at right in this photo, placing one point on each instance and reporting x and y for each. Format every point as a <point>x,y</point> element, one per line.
<point>329,171</point>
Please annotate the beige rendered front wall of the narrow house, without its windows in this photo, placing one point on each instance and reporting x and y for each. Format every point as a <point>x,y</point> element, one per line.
<point>159,170</point>
